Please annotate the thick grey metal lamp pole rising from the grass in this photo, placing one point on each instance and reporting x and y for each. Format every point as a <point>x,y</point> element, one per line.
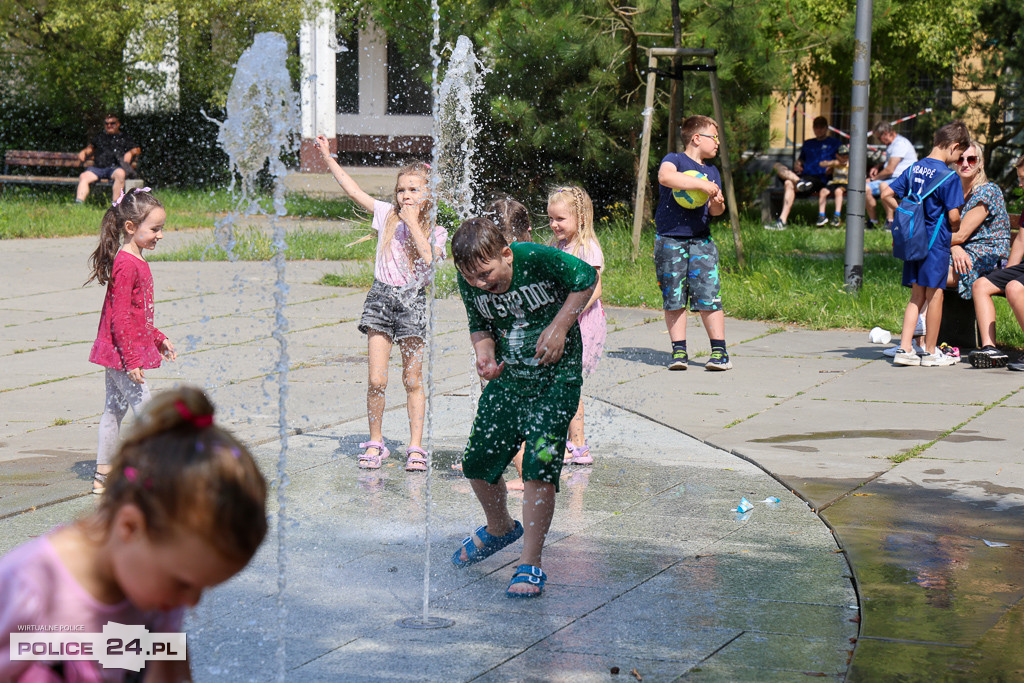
<point>855,270</point>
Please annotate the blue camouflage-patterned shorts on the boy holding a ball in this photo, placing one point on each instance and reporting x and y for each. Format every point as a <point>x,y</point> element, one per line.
<point>688,273</point>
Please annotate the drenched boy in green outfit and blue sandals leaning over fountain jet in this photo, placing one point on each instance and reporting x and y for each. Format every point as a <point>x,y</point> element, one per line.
<point>523,302</point>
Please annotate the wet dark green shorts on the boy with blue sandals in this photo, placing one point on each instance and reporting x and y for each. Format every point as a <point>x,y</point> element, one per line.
<point>505,419</point>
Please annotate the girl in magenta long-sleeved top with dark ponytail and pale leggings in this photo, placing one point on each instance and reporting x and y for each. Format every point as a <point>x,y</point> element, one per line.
<point>127,343</point>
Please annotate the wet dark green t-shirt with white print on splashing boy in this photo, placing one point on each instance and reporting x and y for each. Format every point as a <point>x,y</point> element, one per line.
<point>542,279</point>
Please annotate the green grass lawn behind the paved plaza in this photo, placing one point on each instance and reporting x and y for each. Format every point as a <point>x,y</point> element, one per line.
<point>793,277</point>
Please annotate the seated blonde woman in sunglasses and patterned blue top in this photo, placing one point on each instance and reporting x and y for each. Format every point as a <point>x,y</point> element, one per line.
<point>983,243</point>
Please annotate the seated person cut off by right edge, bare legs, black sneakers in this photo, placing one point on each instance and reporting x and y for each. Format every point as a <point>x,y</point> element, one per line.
<point>1009,281</point>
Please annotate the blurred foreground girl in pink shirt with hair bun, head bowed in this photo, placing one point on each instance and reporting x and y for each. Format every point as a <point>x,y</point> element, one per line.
<point>185,509</point>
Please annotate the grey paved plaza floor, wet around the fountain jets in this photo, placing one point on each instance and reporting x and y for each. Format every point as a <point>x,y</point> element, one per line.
<point>650,568</point>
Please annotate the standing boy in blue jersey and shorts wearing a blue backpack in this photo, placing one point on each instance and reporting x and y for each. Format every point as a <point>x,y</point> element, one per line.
<point>927,278</point>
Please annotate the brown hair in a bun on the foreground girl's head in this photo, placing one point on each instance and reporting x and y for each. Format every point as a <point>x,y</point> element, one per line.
<point>185,473</point>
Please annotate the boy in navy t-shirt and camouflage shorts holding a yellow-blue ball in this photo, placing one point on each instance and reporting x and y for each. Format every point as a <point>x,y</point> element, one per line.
<point>686,258</point>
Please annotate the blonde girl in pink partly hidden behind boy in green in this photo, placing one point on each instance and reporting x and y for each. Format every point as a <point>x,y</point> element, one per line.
<point>572,216</point>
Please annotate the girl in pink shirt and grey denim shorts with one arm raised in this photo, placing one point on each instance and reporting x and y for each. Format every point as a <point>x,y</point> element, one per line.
<point>396,310</point>
